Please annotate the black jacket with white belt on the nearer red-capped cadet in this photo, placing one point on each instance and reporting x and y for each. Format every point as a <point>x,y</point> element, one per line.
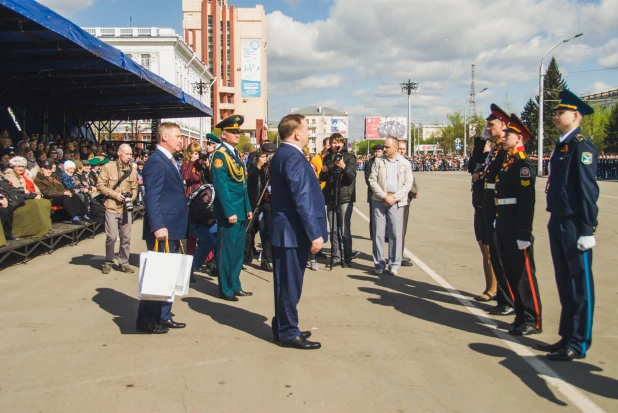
<point>515,180</point>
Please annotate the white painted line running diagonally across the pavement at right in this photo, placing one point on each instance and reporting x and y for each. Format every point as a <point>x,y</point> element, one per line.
<point>576,397</point>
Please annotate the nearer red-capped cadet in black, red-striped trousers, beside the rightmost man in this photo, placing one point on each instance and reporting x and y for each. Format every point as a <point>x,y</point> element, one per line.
<point>515,199</point>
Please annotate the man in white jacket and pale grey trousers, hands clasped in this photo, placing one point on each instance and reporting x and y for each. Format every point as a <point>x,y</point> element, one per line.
<point>390,182</point>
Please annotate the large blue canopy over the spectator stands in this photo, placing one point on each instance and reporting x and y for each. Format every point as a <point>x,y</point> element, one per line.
<point>46,60</point>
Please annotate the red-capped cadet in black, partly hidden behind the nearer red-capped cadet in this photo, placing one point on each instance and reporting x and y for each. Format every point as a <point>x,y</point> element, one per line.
<point>496,122</point>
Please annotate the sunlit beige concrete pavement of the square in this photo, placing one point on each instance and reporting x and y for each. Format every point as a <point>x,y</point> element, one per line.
<point>390,344</point>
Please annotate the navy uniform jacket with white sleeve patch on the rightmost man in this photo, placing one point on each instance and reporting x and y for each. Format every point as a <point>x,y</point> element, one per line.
<point>573,189</point>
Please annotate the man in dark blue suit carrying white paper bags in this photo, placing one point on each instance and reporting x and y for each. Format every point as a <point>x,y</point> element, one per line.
<point>166,217</point>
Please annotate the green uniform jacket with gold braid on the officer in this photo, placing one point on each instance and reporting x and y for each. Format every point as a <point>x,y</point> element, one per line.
<point>229,177</point>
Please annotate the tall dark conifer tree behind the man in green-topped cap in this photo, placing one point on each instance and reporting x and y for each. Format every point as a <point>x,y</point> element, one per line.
<point>552,84</point>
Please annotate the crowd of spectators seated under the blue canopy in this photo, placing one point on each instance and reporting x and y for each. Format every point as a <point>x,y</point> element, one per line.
<point>43,174</point>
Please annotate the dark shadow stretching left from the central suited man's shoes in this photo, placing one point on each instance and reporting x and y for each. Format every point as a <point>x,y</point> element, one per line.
<point>235,317</point>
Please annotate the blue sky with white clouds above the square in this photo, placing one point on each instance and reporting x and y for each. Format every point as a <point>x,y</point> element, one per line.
<point>351,55</point>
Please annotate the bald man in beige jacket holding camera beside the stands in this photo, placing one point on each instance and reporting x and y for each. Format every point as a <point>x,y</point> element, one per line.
<point>118,180</point>
